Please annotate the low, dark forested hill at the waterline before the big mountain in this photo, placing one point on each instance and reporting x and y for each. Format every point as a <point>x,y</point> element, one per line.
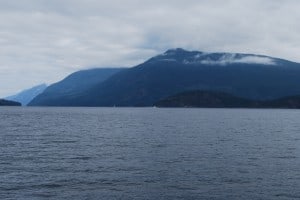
<point>212,99</point>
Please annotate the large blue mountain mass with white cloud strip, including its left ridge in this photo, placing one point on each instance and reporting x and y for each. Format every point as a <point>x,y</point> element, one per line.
<point>244,76</point>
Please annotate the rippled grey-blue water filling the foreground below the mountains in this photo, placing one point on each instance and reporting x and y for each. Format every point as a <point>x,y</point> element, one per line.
<point>148,153</point>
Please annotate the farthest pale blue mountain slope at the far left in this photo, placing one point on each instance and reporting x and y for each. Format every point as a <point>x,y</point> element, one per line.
<point>26,96</point>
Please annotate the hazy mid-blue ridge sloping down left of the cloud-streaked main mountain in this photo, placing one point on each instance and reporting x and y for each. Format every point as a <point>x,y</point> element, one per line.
<point>73,85</point>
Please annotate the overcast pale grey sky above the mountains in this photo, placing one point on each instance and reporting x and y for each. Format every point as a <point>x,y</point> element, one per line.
<point>42,41</point>
